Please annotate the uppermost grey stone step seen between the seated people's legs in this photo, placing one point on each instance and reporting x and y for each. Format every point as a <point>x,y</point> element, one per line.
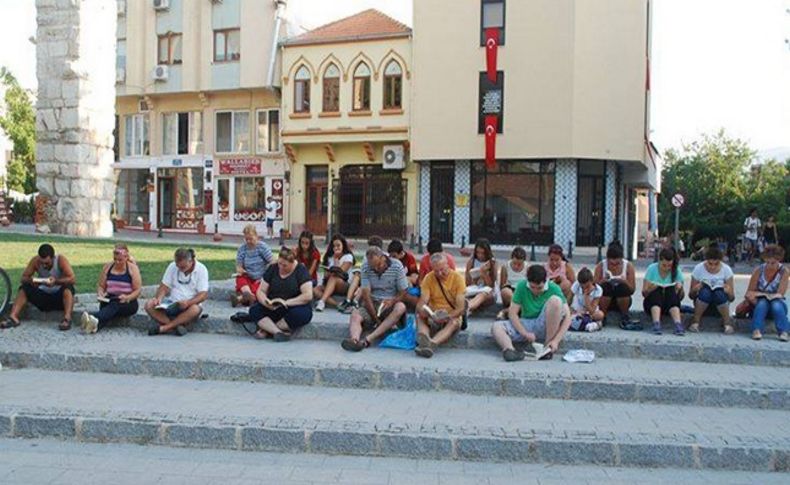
<point>710,346</point>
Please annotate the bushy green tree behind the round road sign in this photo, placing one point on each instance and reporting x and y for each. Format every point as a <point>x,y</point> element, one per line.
<point>712,175</point>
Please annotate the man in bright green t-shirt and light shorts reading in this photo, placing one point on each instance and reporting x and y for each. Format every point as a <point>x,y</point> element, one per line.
<point>538,312</point>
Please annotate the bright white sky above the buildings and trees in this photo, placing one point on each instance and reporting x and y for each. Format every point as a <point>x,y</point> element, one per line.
<point>715,63</point>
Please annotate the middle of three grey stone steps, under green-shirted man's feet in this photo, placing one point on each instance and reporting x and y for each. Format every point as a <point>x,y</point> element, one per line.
<point>324,363</point>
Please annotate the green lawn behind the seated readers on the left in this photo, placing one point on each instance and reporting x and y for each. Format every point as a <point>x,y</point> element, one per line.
<point>88,256</point>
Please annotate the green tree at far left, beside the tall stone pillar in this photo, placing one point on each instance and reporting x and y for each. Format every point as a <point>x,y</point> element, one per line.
<point>19,123</point>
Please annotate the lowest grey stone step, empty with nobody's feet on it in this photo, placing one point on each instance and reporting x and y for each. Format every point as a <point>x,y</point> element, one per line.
<point>426,425</point>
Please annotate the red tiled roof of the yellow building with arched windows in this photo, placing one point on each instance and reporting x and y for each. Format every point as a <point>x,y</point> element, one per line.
<point>367,25</point>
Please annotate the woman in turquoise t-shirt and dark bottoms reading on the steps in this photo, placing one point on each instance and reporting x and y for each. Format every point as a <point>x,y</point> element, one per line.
<point>662,290</point>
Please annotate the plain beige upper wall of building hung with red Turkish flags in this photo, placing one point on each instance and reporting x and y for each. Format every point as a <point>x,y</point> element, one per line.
<point>574,80</point>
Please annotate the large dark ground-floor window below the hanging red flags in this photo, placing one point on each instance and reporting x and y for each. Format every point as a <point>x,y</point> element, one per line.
<point>514,203</point>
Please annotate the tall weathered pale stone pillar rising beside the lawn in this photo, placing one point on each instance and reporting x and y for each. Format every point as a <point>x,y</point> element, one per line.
<point>75,57</point>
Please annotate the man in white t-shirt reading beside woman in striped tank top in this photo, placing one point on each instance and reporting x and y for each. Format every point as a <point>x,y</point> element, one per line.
<point>177,302</point>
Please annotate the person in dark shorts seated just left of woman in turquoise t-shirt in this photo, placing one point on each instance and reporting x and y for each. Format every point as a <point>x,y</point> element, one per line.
<point>617,278</point>
